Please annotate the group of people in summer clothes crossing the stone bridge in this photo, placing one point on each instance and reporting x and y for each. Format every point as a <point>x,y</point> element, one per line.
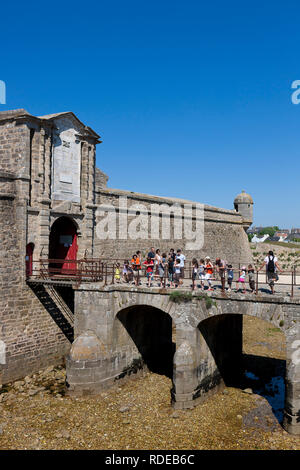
<point>171,266</point>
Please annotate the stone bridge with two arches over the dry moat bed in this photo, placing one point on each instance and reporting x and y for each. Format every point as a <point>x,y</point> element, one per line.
<point>196,341</point>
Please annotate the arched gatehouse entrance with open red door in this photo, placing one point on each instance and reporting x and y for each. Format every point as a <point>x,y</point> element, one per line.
<point>63,245</point>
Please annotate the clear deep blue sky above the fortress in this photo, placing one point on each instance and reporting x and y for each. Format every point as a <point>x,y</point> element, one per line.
<point>192,99</point>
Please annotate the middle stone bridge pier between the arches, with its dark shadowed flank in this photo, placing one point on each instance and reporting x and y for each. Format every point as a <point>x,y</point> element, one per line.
<point>207,357</point>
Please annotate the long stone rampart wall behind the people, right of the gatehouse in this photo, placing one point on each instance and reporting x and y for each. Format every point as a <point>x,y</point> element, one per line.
<point>224,234</point>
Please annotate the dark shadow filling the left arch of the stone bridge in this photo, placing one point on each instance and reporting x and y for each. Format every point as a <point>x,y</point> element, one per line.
<point>151,331</point>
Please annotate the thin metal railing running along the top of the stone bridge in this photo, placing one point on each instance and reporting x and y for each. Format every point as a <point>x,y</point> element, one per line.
<point>105,270</point>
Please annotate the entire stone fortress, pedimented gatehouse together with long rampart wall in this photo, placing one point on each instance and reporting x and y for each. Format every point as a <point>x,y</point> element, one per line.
<point>36,190</point>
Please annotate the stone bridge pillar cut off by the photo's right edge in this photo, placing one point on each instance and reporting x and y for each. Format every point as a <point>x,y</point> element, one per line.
<point>291,421</point>
